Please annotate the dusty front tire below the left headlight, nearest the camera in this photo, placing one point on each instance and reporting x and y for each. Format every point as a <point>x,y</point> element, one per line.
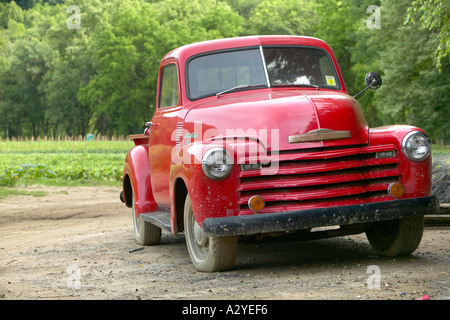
<point>208,254</point>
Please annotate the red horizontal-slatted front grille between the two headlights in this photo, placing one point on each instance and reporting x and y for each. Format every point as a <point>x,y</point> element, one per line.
<point>326,178</point>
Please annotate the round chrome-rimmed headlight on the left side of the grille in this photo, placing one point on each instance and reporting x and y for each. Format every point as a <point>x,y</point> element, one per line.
<point>217,163</point>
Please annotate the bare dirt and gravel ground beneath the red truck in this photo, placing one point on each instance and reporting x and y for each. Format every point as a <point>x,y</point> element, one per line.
<point>78,243</point>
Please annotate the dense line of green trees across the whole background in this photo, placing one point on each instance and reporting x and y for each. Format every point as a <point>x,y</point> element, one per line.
<point>90,66</point>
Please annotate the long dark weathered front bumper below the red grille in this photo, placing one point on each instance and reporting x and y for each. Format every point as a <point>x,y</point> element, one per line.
<point>312,218</point>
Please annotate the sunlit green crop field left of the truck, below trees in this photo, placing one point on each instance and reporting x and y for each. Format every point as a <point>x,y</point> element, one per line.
<point>59,163</point>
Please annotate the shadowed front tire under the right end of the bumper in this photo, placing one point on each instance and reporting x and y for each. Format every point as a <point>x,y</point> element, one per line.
<point>396,237</point>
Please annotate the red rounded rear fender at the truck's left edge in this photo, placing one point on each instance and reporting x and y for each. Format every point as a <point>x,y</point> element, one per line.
<point>136,180</point>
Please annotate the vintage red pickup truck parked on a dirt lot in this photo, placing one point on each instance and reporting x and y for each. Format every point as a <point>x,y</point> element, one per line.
<point>259,136</point>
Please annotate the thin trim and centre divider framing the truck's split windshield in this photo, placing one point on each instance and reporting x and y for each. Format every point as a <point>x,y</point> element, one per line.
<point>268,83</point>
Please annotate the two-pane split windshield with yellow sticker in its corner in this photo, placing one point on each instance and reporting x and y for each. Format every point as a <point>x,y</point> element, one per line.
<point>244,69</point>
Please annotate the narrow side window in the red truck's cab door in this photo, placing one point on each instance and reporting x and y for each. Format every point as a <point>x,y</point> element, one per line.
<point>168,95</point>
